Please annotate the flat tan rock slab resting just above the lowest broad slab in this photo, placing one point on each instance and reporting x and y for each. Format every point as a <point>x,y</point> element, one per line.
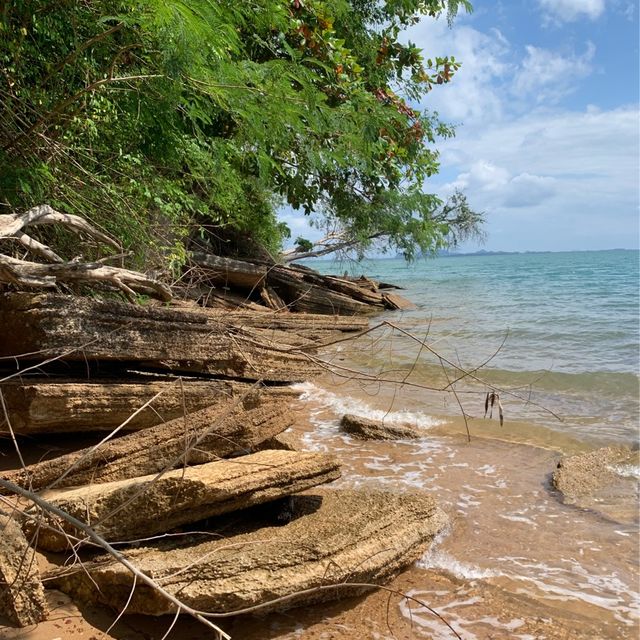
<point>149,505</point>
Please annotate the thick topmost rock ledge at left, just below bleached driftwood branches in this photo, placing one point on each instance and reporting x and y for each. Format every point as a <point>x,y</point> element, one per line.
<point>83,329</point>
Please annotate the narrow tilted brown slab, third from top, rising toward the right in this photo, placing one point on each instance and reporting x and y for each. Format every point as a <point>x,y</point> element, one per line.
<point>152,450</point>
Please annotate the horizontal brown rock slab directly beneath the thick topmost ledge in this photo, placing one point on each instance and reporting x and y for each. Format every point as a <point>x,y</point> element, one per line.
<point>43,405</point>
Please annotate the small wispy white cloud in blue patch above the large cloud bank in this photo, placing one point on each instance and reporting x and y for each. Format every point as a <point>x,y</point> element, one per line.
<point>549,76</point>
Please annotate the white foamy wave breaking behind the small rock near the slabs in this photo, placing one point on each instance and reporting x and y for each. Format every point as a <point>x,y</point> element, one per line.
<point>345,404</point>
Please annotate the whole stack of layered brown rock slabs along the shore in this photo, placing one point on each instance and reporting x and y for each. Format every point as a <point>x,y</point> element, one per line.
<point>192,402</point>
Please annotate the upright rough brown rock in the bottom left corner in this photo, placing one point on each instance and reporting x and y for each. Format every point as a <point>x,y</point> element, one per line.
<point>21,592</point>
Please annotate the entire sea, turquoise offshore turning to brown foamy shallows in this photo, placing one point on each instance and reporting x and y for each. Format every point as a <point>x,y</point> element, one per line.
<point>556,337</point>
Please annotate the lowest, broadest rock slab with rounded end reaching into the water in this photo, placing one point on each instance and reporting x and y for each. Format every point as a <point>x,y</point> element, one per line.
<point>336,537</point>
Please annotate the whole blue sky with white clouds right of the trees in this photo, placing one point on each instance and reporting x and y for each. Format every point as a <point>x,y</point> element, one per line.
<point>546,108</point>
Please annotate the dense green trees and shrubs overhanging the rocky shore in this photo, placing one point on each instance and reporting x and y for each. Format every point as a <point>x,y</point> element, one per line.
<point>162,119</point>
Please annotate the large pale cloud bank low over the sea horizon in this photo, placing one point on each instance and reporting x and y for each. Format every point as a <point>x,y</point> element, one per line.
<point>563,180</point>
